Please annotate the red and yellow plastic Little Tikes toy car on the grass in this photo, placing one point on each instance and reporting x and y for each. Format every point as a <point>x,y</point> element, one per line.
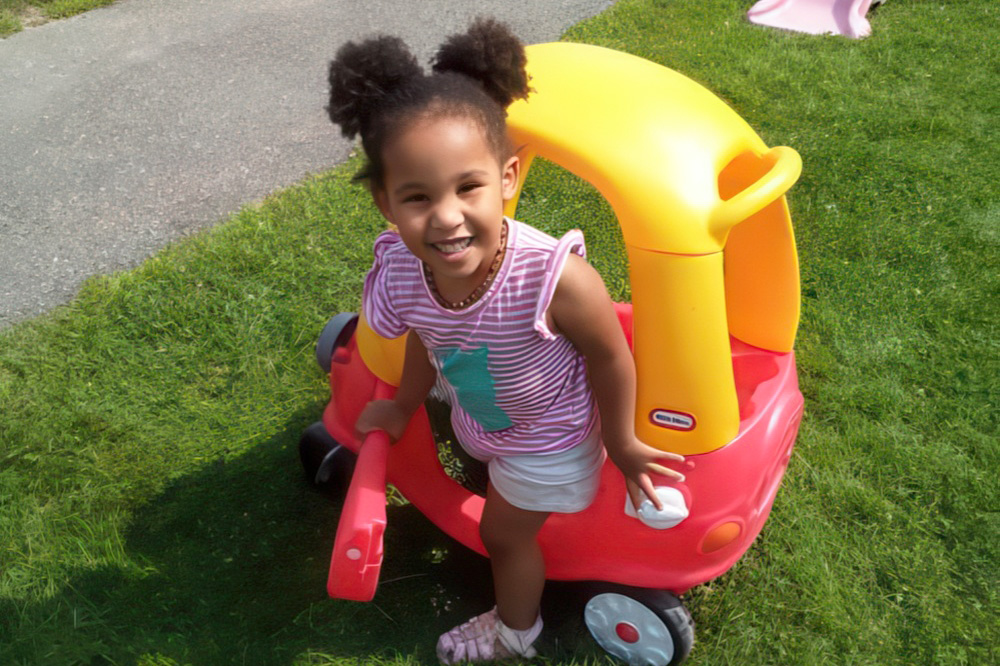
<point>715,305</point>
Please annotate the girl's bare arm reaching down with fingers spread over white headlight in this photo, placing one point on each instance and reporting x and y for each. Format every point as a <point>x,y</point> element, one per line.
<point>583,312</point>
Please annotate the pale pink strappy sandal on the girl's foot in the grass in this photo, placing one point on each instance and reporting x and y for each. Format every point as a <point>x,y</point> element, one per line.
<point>487,638</point>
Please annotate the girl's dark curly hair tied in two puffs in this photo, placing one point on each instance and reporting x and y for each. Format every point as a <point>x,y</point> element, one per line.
<point>377,88</point>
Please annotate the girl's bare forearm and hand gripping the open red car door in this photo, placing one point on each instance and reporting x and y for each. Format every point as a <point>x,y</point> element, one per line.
<point>418,378</point>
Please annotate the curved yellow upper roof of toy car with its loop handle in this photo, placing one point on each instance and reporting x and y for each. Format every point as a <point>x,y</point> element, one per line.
<point>651,140</point>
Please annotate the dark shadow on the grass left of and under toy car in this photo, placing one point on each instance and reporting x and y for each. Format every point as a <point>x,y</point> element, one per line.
<point>231,566</point>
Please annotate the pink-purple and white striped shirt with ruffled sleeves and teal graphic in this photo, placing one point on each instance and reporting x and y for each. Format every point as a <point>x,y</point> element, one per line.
<point>514,386</point>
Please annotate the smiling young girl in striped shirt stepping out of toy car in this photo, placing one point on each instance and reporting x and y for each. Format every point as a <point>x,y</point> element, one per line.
<point>513,325</point>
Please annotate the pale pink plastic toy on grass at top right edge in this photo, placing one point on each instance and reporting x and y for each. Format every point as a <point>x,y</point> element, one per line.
<point>816,17</point>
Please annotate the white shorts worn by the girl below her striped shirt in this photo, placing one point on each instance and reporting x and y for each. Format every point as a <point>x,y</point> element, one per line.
<point>564,482</point>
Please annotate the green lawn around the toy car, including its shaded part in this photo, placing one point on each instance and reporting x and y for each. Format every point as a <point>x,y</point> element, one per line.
<point>151,506</point>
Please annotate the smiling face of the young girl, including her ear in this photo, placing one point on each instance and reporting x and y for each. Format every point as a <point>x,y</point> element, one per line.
<point>445,189</point>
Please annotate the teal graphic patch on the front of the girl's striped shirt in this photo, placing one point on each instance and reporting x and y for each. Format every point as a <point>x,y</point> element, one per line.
<point>467,370</point>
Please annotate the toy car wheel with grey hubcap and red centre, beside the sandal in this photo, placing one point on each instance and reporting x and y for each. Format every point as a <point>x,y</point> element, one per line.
<point>640,626</point>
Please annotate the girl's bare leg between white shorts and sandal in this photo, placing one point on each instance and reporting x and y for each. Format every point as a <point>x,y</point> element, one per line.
<point>510,536</point>
